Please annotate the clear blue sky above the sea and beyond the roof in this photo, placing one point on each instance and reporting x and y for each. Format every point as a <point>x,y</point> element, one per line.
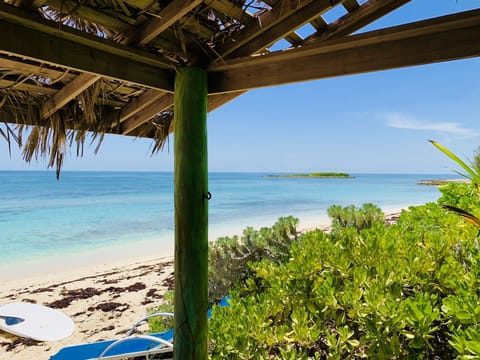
<point>371,123</point>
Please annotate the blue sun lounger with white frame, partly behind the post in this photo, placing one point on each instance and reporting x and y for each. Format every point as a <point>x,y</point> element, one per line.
<point>130,346</point>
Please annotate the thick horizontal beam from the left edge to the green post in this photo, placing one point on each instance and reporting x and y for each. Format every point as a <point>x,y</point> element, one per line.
<point>30,37</point>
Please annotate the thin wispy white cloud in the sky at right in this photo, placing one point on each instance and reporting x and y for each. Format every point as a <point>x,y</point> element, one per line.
<point>401,121</point>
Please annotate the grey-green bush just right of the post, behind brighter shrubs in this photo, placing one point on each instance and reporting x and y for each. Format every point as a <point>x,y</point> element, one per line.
<point>229,256</point>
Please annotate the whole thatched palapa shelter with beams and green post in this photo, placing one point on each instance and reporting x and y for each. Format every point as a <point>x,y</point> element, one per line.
<point>147,68</point>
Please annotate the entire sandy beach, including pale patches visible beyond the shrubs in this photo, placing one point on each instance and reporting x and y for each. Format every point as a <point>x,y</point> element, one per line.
<point>104,295</point>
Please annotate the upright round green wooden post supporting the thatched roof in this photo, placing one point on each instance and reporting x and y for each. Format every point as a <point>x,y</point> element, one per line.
<point>191,214</point>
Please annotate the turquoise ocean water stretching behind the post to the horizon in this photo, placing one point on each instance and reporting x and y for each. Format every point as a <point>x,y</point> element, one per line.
<point>40,216</point>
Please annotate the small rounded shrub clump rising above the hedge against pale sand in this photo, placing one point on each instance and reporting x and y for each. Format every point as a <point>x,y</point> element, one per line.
<point>358,218</point>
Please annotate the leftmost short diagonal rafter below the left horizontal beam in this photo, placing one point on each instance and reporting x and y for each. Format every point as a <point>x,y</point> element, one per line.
<point>69,92</point>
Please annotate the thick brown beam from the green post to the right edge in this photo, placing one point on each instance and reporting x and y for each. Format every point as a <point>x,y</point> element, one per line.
<point>446,38</point>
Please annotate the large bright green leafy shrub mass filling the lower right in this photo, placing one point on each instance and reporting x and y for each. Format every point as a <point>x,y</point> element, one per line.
<point>404,291</point>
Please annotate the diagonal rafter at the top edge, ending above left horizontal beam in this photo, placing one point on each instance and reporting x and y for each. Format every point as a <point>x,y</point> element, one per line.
<point>175,10</point>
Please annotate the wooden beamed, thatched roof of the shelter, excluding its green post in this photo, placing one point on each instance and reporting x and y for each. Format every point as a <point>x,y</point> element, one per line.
<point>53,51</point>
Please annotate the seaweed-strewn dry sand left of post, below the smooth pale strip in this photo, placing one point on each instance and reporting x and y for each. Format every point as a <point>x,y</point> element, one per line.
<point>103,303</point>
